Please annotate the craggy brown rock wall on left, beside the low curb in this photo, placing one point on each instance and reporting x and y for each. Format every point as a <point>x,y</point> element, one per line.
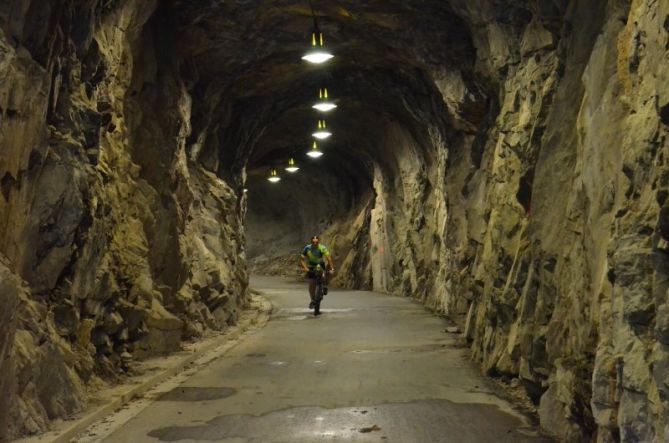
<point>111,238</point>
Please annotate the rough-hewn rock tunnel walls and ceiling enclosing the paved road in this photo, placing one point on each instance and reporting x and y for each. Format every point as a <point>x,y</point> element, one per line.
<point>501,163</point>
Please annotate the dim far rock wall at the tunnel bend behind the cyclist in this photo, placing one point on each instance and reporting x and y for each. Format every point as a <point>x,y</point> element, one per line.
<point>282,217</point>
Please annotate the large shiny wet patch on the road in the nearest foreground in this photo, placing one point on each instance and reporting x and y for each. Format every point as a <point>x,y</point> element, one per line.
<point>418,421</point>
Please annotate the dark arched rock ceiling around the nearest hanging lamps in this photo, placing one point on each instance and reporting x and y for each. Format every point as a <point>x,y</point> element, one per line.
<point>247,54</point>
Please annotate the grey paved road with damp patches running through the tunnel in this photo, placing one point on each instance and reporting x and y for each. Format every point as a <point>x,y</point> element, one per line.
<point>372,368</point>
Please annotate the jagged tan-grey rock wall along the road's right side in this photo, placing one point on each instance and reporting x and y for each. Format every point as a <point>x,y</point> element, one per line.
<point>539,224</point>
